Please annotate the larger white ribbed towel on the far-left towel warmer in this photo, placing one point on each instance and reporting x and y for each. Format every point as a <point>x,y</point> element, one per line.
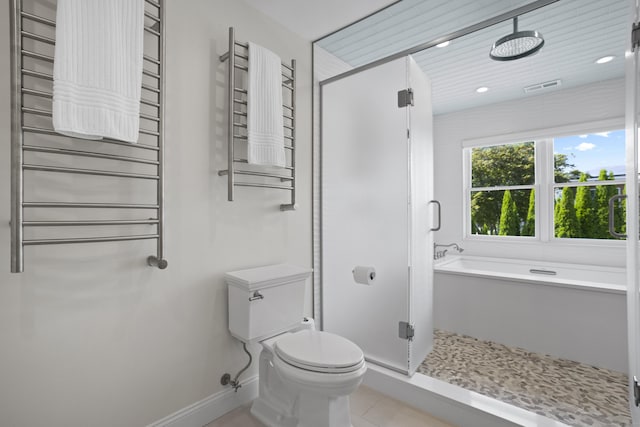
<point>97,71</point>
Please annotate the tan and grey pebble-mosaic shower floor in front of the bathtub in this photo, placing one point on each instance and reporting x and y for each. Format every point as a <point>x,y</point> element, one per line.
<point>571,392</point>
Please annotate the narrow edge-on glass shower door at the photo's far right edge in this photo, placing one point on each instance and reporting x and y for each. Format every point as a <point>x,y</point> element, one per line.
<point>633,243</point>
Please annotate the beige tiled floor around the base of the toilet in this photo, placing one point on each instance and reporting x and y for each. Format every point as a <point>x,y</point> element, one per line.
<point>368,409</point>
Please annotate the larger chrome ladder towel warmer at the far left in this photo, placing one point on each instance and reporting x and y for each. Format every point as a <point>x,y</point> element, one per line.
<point>38,153</point>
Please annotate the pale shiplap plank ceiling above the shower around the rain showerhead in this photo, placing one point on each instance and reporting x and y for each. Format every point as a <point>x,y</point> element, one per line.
<point>576,33</point>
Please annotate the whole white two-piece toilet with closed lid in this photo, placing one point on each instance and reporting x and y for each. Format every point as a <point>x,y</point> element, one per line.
<point>305,375</point>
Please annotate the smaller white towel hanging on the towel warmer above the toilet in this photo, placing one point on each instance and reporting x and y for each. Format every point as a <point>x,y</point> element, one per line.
<point>264,108</point>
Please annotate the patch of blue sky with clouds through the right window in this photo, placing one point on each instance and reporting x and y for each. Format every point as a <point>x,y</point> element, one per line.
<point>595,151</point>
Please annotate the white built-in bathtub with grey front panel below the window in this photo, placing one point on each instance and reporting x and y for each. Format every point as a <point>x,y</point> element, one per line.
<point>571,311</point>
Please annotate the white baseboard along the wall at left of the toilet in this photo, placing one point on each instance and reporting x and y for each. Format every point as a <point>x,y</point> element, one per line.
<point>210,408</point>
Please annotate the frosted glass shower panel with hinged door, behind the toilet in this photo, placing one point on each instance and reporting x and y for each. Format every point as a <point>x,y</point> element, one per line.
<point>376,179</point>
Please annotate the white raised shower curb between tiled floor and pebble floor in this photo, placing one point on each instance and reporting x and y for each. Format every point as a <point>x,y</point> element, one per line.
<point>451,403</point>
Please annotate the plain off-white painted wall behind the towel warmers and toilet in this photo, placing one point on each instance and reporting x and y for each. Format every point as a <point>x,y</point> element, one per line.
<point>91,335</point>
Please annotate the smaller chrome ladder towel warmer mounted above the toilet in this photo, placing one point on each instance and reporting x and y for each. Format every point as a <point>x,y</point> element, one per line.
<point>237,115</point>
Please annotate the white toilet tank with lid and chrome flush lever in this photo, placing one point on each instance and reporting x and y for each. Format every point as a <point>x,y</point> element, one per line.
<point>265,301</point>
